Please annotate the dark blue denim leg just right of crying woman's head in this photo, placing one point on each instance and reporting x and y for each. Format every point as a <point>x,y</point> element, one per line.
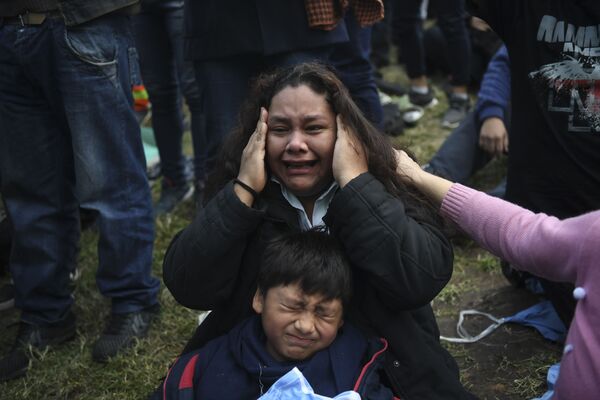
<point>352,60</point>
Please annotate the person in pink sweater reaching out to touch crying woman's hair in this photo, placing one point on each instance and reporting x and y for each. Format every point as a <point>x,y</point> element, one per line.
<point>566,250</point>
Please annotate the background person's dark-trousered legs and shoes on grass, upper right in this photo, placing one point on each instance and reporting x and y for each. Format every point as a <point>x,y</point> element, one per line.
<point>407,25</point>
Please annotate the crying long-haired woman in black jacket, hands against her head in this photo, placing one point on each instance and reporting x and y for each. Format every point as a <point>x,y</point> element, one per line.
<point>313,159</point>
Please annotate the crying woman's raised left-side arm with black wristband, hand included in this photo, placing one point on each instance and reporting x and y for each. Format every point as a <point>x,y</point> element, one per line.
<point>202,262</point>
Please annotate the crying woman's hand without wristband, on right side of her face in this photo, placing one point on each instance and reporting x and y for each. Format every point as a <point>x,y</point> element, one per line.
<point>349,159</point>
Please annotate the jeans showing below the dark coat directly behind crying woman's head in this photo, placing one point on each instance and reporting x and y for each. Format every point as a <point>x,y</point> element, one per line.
<point>225,85</point>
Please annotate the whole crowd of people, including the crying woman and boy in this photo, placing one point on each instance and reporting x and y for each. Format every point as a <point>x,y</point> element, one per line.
<point>316,244</point>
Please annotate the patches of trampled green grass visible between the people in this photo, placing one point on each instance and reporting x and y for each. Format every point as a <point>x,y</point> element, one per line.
<point>68,372</point>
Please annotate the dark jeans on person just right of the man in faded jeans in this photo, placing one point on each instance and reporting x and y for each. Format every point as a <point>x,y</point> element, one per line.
<point>159,38</point>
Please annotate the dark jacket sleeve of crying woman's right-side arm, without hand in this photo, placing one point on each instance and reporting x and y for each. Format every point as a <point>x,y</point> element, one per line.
<point>407,262</point>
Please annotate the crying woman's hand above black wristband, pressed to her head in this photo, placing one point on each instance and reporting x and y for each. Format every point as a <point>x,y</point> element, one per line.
<point>252,168</point>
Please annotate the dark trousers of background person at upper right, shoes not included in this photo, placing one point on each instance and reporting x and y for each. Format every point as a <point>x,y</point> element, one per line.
<point>408,33</point>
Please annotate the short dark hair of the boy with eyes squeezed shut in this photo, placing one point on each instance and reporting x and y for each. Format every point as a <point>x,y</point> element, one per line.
<point>312,259</point>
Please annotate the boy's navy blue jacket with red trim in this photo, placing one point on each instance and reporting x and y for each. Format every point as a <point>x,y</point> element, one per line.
<point>237,366</point>
